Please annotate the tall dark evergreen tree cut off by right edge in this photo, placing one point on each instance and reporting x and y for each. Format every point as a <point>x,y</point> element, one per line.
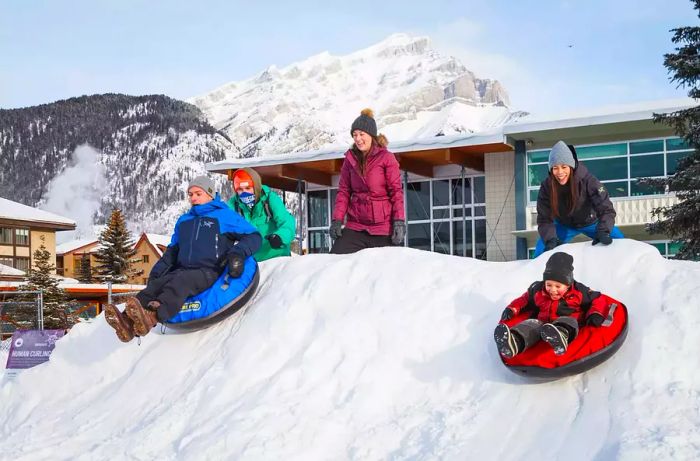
<point>681,221</point>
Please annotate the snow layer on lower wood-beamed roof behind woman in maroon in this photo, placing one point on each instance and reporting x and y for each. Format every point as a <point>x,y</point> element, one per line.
<point>338,151</point>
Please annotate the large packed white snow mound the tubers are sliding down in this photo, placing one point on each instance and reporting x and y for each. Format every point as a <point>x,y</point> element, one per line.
<point>384,354</point>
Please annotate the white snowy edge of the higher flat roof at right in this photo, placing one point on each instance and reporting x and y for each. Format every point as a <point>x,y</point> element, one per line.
<point>598,116</point>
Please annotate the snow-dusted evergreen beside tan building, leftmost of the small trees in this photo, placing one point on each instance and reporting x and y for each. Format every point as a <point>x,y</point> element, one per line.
<point>40,277</point>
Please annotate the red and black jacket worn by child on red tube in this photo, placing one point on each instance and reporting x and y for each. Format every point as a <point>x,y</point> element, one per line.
<point>571,304</point>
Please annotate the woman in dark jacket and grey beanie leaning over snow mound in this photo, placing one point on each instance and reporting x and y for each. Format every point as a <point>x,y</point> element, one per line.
<point>572,201</point>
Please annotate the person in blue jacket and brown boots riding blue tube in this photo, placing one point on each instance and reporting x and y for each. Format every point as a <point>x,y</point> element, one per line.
<point>207,238</point>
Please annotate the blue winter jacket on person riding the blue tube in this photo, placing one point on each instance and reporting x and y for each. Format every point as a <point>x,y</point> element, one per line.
<point>205,236</point>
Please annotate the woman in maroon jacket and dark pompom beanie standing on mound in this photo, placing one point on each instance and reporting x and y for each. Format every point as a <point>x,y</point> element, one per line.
<point>370,193</point>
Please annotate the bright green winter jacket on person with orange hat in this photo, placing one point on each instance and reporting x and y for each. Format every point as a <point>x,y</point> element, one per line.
<point>281,221</point>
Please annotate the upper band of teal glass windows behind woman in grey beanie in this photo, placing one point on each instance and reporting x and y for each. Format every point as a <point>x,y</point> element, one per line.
<point>618,166</point>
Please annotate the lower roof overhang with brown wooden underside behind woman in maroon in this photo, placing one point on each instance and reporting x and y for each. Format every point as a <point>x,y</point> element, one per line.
<point>420,157</point>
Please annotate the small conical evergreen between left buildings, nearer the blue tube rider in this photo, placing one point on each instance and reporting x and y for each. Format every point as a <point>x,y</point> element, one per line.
<point>116,252</point>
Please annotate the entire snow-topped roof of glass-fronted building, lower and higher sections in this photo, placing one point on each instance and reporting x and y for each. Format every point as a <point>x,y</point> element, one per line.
<point>419,156</point>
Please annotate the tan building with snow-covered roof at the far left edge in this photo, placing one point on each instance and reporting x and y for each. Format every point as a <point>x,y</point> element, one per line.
<point>23,229</point>
